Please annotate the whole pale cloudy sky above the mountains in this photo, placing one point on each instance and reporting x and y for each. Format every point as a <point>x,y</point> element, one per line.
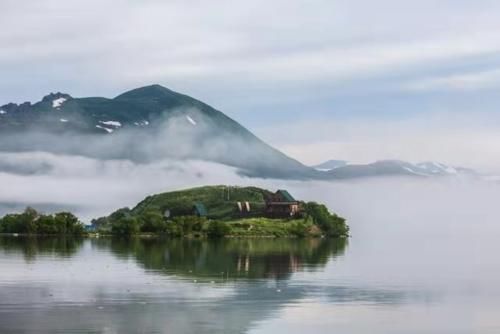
<point>322,79</point>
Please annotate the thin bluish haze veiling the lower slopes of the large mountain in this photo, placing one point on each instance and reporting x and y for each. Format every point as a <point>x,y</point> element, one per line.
<point>178,134</point>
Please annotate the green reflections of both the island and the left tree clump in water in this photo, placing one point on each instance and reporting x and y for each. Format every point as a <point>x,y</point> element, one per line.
<point>216,260</point>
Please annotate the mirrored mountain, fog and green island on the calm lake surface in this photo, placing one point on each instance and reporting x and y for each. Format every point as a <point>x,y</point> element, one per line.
<point>164,286</point>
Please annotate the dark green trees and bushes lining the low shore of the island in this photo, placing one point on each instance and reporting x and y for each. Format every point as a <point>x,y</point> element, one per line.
<point>124,222</point>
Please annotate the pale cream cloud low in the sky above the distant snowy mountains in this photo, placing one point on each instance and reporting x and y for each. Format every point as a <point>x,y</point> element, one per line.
<point>452,137</point>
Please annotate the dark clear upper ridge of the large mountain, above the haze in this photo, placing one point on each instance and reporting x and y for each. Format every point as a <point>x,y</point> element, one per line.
<point>138,108</point>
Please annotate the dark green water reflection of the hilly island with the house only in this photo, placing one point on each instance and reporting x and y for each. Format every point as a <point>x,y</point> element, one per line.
<point>227,259</point>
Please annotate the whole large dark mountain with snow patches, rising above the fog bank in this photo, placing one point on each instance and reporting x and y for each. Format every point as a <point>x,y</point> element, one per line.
<point>143,124</point>
